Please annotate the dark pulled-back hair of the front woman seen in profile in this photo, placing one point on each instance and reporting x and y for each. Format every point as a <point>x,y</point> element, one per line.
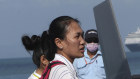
<point>58,29</point>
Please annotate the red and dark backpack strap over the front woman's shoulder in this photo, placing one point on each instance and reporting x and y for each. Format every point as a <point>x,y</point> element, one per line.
<point>48,68</point>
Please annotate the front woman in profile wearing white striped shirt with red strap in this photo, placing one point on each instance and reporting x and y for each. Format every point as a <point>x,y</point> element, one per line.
<point>67,43</point>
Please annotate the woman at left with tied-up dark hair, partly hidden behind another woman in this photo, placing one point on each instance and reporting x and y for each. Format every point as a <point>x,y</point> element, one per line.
<point>39,46</point>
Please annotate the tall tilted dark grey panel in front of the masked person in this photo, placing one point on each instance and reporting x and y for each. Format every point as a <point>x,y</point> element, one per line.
<point>115,62</point>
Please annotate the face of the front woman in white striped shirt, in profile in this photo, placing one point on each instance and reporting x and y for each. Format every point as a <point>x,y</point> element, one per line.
<point>73,43</point>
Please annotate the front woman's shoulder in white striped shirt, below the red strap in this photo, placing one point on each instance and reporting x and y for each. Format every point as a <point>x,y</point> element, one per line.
<point>60,72</point>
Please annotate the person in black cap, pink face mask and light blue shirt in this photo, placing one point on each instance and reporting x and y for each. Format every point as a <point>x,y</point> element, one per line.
<point>90,66</point>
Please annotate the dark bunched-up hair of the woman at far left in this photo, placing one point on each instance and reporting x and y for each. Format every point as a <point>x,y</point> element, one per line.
<point>39,46</point>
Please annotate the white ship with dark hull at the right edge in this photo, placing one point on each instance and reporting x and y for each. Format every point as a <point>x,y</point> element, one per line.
<point>132,41</point>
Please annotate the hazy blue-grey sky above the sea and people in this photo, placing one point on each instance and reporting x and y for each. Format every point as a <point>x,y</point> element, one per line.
<point>19,17</point>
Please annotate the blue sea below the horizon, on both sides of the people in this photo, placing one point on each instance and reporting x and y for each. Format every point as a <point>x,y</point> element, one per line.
<point>21,68</point>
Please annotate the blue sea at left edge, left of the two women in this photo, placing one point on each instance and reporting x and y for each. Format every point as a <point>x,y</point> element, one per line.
<point>17,68</point>
